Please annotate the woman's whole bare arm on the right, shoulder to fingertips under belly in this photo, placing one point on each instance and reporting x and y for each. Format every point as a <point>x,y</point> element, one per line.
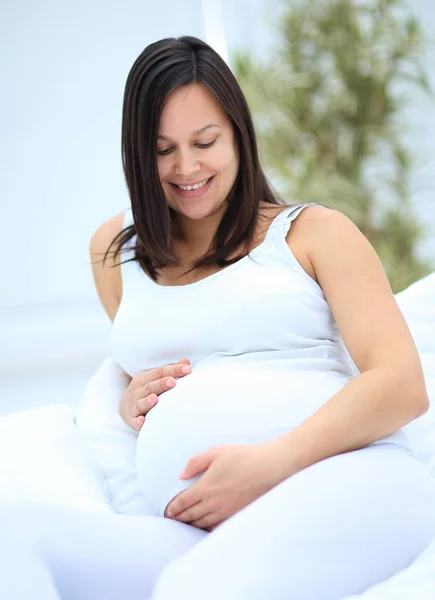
<point>389,392</point>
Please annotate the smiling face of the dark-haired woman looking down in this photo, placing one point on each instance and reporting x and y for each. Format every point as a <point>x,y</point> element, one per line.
<point>196,147</point>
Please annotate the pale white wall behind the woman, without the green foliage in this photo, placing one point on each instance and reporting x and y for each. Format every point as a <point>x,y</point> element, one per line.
<point>64,66</point>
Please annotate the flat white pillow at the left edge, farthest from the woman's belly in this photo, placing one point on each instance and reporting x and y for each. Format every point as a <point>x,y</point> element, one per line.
<point>44,458</point>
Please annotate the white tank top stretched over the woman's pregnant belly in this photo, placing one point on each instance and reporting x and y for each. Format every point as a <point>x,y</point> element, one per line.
<point>265,350</point>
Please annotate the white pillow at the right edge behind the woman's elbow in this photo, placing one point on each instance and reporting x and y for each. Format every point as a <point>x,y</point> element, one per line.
<point>417,304</point>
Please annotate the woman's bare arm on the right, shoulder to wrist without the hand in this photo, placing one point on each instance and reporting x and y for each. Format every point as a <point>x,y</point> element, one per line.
<point>390,390</point>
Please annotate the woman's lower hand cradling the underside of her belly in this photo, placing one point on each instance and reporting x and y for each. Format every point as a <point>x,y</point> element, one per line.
<point>234,476</point>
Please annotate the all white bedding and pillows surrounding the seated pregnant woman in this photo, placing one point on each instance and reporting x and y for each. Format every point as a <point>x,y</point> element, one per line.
<point>86,459</point>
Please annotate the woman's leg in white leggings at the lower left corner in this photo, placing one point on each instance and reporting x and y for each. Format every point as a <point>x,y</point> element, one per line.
<point>50,553</point>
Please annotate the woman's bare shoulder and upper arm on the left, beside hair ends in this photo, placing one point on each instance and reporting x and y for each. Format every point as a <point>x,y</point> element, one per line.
<point>107,276</point>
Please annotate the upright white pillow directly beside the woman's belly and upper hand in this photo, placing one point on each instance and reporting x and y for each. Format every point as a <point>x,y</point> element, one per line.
<point>113,442</point>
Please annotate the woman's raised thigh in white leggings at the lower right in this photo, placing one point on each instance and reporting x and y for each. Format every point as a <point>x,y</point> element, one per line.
<point>329,531</point>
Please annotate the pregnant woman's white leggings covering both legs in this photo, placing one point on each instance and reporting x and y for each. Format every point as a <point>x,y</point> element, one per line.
<point>330,531</point>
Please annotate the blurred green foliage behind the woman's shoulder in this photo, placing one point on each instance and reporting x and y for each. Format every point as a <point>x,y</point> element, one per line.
<point>328,107</point>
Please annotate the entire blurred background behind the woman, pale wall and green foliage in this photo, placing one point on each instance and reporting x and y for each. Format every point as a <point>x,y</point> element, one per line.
<point>342,97</point>
